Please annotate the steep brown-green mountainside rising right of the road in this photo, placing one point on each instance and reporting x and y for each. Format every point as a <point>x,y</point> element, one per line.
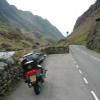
<point>87,29</point>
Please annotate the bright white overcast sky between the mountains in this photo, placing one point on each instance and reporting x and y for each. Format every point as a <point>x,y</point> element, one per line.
<point>61,13</point>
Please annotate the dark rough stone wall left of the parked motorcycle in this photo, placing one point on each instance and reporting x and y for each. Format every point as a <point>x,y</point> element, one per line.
<point>9,73</point>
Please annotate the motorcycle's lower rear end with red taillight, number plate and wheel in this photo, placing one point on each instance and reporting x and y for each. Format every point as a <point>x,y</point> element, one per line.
<point>35,78</point>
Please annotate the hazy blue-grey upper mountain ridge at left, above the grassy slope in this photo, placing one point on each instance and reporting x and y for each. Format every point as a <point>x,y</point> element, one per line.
<point>25,20</point>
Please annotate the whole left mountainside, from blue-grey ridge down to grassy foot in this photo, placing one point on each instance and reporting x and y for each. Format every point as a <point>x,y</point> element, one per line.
<point>25,28</point>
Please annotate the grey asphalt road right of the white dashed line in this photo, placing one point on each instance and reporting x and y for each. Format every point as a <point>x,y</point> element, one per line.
<point>88,63</point>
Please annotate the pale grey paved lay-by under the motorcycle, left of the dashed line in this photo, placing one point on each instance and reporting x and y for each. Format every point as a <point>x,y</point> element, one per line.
<point>64,82</point>
